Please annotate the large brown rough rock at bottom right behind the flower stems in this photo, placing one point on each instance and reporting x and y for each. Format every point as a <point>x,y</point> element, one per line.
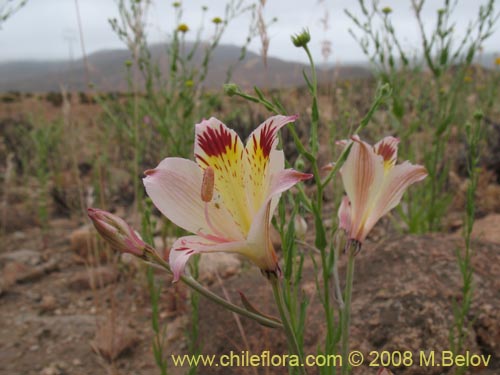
<point>404,290</point>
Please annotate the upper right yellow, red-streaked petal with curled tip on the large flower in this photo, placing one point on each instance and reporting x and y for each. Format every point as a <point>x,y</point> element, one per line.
<point>261,150</point>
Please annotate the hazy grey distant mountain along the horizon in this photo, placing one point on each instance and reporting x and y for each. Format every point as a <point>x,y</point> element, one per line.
<point>108,72</point>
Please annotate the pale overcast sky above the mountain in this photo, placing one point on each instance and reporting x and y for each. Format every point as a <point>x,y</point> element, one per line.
<point>47,29</point>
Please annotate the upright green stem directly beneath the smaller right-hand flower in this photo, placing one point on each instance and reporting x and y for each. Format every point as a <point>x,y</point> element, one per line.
<point>346,311</point>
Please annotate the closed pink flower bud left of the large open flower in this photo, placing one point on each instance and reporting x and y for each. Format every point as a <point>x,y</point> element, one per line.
<point>116,232</point>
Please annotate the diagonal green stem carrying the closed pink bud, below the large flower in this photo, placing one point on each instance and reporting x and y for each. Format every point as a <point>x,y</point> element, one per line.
<point>150,255</point>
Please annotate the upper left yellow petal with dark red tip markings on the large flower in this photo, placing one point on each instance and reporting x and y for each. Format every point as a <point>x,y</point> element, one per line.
<point>221,148</point>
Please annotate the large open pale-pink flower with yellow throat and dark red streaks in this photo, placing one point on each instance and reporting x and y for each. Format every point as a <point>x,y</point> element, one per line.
<point>227,196</point>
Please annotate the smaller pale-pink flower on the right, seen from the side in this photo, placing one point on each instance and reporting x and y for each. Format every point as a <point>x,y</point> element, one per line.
<point>374,184</point>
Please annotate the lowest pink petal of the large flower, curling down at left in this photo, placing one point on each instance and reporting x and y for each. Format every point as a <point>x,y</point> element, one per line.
<point>184,247</point>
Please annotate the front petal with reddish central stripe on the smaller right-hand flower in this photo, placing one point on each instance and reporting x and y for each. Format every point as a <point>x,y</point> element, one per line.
<point>362,175</point>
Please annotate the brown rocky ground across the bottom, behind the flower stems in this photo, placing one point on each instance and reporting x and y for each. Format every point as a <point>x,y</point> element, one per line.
<point>66,310</point>
